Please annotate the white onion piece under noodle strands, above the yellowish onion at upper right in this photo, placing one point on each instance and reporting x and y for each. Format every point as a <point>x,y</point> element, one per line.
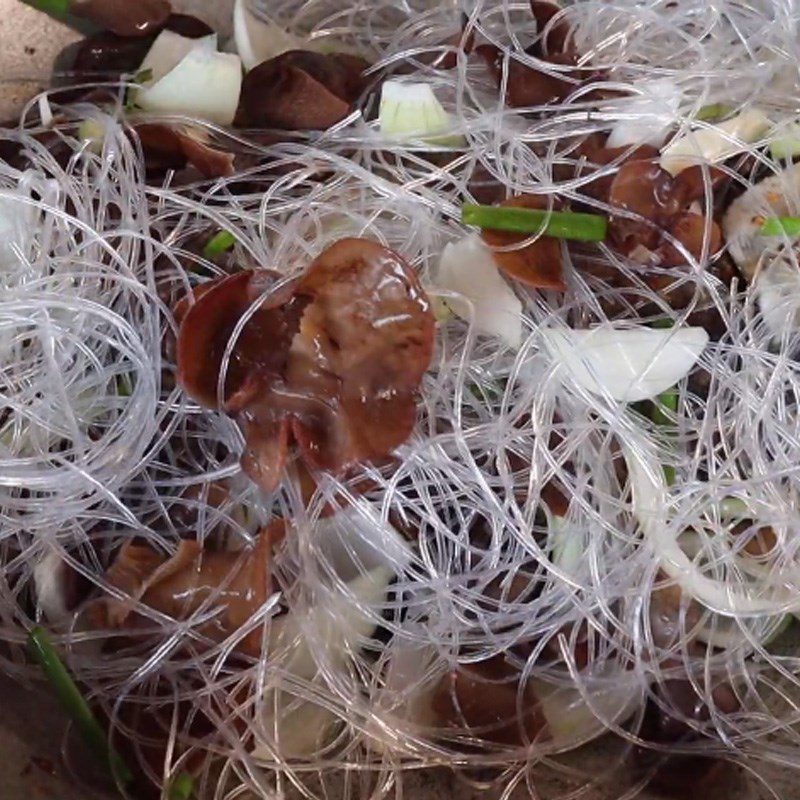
<point>653,113</point>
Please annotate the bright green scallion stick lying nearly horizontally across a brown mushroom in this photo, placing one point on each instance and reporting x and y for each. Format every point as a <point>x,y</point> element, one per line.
<point>559,224</point>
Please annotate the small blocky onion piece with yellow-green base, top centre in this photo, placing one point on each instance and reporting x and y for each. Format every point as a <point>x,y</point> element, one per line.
<point>412,111</point>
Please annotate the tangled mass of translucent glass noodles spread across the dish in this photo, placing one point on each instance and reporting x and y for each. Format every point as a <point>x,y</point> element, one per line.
<point>100,447</point>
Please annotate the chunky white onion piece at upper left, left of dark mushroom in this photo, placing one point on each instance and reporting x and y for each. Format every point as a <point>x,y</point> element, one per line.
<point>203,84</point>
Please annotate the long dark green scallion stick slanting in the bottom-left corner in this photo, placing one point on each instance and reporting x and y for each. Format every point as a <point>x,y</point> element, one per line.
<point>75,704</point>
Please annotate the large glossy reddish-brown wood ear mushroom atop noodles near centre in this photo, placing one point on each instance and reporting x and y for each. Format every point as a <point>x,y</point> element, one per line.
<point>332,363</point>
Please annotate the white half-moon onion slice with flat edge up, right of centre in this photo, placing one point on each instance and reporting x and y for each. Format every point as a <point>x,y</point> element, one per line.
<point>629,364</point>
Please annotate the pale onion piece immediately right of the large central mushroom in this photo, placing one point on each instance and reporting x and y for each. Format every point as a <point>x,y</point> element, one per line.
<point>468,268</point>
